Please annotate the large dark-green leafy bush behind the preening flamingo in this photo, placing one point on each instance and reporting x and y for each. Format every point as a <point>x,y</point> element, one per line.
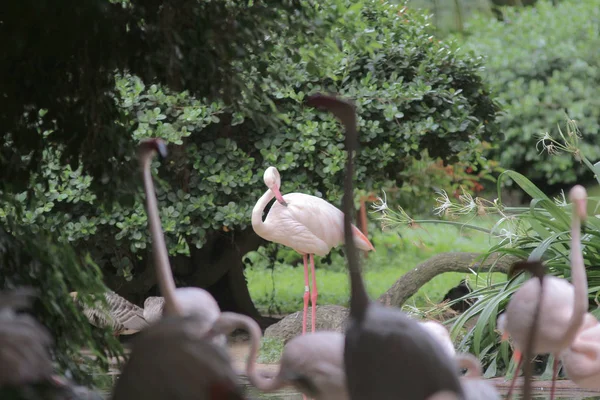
<point>414,97</point>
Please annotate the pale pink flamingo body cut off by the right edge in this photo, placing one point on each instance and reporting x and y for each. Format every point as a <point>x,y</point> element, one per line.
<point>581,360</point>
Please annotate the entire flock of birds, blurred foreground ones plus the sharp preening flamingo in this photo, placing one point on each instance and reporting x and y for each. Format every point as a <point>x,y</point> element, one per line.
<point>384,354</point>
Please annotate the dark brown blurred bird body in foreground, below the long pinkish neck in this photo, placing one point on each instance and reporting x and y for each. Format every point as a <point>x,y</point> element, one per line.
<point>172,359</point>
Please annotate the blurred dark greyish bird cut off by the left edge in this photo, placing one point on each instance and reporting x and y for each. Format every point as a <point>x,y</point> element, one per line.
<point>24,342</point>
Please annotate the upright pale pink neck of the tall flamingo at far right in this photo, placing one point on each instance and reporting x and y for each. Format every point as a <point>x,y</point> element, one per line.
<point>579,281</point>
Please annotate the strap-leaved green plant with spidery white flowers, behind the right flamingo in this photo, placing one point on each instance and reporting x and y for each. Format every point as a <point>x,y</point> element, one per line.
<point>539,231</point>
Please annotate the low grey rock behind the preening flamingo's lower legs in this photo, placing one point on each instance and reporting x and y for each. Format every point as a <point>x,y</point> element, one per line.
<point>329,318</point>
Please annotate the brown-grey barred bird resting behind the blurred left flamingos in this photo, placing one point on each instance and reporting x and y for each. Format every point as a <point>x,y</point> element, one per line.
<point>121,316</point>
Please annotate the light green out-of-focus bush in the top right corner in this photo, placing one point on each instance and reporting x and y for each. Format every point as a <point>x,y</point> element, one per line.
<point>542,62</point>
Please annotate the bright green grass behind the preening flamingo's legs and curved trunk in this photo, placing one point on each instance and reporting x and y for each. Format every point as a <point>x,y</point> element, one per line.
<point>279,290</point>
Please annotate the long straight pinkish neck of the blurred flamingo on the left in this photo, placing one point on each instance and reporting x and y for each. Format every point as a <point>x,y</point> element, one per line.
<point>166,283</point>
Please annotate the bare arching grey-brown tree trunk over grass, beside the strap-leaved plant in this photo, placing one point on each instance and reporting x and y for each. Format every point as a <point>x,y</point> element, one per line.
<point>413,280</point>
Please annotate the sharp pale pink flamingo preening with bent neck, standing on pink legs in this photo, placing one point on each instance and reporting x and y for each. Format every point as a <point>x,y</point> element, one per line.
<point>307,224</point>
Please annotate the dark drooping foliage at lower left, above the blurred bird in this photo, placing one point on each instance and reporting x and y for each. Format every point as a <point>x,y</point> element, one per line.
<point>55,270</point>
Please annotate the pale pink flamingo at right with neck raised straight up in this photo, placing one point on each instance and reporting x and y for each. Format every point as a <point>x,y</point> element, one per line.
<point>563,305</point>
